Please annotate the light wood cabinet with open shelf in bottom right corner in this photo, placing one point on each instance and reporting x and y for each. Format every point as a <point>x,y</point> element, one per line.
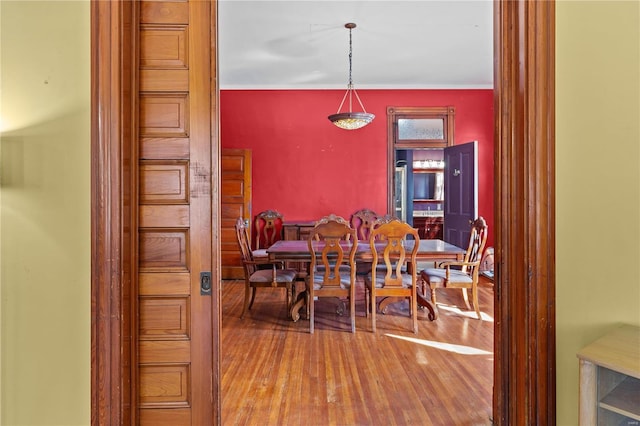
<point>610,379</point>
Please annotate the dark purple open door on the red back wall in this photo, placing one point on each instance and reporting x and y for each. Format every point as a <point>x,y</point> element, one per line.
<point>460,192</point>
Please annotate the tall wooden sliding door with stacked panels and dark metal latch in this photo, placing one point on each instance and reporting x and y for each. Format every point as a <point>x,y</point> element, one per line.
<point>174,330</point>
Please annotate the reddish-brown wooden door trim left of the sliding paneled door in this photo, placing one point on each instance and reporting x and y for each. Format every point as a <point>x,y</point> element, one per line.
<point>112,142</point>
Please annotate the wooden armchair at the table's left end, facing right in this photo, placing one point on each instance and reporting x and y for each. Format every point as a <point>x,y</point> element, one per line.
<point>257,276</point>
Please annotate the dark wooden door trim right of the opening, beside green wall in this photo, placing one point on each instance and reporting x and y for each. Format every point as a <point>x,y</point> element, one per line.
<point>524,50</point>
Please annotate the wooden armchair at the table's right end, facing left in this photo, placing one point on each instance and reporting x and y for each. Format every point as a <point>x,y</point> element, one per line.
<point>459,274</point>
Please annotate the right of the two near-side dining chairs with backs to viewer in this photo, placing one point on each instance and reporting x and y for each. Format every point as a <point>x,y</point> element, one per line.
<point>393,278</point>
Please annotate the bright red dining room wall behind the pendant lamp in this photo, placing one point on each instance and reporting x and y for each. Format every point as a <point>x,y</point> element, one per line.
<point>306,168</point>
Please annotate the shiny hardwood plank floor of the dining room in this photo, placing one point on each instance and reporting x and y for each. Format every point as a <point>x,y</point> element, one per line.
<point>275,373</point>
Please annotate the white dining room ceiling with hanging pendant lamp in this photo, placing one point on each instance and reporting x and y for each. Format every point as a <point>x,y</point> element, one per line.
<point>303,44</point>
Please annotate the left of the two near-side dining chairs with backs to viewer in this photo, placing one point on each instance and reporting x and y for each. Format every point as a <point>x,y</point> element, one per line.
<point>332,272</point>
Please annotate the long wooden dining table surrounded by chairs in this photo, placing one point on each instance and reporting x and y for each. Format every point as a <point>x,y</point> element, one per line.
<point>429,250</point>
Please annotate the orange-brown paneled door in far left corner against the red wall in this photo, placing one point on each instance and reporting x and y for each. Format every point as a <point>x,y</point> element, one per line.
<point>235,202</point>
